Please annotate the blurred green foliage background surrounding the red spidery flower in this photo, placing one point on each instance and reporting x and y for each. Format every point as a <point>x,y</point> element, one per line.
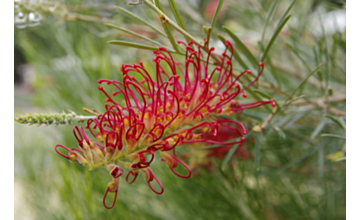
<point>297,168</point>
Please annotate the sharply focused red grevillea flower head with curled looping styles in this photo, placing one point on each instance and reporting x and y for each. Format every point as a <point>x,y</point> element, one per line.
<point>149,113</point>
